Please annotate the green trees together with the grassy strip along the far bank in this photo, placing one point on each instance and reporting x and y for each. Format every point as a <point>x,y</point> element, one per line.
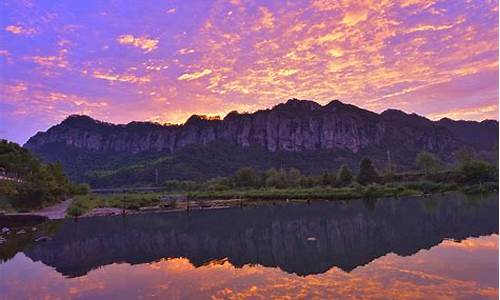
<point>470,175</point>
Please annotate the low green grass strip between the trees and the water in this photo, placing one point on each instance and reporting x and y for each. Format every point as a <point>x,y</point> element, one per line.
<point>82,204</point>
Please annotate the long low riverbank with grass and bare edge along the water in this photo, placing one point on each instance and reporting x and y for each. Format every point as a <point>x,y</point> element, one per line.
<point>133,203</point>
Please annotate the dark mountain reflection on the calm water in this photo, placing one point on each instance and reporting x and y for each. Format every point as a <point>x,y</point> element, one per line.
<point>301,239</point>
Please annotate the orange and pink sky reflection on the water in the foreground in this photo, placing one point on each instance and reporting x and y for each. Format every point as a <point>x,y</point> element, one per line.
<point>390,276</point>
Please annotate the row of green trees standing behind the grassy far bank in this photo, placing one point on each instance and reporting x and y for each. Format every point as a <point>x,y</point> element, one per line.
<point>467,170</point>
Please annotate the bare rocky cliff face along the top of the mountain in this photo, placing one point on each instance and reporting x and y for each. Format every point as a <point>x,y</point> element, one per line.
<point>296,125</point>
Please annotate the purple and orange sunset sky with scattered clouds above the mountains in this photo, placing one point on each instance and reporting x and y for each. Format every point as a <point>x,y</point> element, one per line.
<point>162,61</point>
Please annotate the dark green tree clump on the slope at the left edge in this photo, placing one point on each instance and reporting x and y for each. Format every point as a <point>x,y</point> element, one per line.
<point>27,183</point>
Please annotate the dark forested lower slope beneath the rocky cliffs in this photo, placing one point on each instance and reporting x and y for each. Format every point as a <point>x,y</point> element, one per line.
<point>216,159</point>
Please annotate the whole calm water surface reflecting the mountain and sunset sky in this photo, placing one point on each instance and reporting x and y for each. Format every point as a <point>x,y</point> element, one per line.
<point>432,248</point>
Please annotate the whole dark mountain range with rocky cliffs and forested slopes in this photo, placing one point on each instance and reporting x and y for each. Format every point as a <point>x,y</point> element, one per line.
<point>299,133</point>
